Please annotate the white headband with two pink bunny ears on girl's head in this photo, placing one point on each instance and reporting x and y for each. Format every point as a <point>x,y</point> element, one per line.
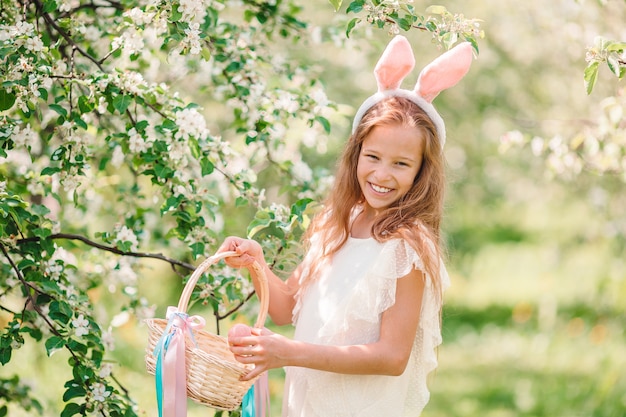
<point>397,61</point>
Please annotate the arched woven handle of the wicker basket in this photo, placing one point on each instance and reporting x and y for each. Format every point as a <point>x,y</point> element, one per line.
<point>263,294</point>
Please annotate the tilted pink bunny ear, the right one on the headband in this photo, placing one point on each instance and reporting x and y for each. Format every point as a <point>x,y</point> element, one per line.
<point>444,72</point>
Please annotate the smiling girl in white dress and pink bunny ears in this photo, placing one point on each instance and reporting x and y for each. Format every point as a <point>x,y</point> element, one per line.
<point>366,300</point>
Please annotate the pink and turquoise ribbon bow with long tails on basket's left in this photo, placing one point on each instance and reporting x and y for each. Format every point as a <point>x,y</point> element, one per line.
<point>170,373</point>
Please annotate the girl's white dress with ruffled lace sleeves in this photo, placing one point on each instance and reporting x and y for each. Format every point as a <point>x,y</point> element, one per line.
<point>344,307</point>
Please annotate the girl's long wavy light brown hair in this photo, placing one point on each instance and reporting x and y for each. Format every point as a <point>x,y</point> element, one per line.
<point>415,217</point>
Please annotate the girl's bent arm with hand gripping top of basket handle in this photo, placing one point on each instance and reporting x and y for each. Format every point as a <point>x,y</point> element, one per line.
<point>281,293</point>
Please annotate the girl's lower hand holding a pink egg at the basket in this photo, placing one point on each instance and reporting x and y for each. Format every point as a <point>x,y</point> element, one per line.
<point>264,349</point>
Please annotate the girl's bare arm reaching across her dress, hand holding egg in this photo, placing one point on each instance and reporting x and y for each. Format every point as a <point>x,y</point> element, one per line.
<point>387,356</point>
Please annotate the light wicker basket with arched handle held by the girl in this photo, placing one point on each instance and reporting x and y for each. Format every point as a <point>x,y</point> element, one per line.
<point>212,371</point>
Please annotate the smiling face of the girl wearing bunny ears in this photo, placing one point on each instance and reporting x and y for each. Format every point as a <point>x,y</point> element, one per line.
<point>390,158</point>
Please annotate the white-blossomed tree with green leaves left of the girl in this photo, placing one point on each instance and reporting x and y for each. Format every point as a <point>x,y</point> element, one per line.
<point>109,156</point>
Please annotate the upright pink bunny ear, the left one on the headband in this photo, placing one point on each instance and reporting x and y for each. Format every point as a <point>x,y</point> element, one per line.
<point>394,64</point>
